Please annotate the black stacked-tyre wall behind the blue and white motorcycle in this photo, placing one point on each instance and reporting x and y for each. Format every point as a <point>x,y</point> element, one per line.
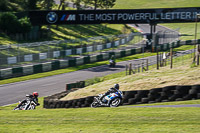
<point>165,94</point>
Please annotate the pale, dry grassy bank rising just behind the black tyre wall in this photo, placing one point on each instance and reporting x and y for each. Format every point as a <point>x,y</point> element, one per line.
<point>182,74</point>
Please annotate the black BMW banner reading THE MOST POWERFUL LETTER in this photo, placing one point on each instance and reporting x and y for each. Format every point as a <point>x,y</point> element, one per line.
<point>143,16</point>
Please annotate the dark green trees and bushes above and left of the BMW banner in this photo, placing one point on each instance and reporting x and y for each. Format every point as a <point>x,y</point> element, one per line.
<point>11,24</point>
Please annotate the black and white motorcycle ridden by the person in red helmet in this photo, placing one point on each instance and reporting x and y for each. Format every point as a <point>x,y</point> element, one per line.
<point>28,104</point>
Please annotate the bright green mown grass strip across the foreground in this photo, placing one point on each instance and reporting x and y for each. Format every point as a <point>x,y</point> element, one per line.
<point>99,120</point>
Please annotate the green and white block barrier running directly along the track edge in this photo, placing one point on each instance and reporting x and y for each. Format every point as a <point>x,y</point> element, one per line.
<point>54,65</point>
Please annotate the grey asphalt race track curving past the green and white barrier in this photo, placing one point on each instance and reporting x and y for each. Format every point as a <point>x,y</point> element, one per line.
<point>12,93</point>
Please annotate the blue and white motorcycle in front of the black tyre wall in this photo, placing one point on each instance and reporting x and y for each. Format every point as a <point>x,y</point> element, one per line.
<point>112,100</point>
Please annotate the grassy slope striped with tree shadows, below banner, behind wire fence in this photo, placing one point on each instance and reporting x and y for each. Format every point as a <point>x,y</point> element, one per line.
<point>72,32</point>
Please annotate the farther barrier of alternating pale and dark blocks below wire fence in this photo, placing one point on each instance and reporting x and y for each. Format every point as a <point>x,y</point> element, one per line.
<point>76,50</point>
